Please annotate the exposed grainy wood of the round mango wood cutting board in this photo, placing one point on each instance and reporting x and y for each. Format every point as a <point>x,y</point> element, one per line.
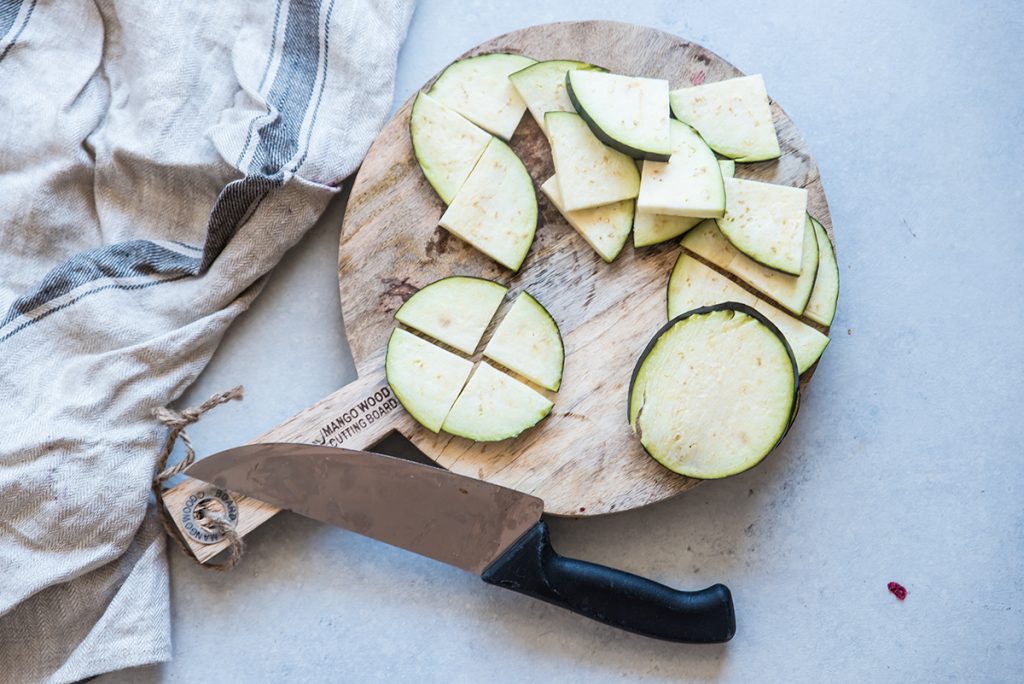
<point>583,460</point>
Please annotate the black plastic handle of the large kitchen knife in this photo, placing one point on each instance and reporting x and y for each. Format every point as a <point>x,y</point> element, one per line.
<point>621,600</point>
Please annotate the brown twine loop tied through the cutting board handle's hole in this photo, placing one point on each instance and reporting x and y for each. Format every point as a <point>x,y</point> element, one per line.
<point>208,515</point>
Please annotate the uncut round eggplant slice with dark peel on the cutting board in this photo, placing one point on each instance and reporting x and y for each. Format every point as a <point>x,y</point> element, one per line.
<point>714,393</point>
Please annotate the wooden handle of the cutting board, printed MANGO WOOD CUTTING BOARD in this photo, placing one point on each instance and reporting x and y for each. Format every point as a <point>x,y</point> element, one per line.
<point>358,417</point>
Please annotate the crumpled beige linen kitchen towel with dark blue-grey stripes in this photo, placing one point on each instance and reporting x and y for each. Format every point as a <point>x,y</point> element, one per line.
<point>157,159</point>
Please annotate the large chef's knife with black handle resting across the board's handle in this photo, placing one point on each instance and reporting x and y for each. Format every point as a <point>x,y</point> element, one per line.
<point>489,530</point>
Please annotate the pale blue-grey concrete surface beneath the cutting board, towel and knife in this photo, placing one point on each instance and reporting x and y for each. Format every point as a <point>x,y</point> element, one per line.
<point>906,463</point>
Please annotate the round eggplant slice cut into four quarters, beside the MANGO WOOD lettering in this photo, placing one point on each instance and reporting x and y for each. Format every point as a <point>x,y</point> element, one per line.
<point>447,392</point>
